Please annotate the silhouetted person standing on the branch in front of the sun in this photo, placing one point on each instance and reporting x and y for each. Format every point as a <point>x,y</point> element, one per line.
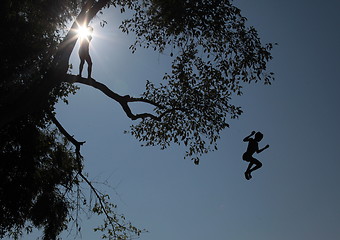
<point>84,53</point>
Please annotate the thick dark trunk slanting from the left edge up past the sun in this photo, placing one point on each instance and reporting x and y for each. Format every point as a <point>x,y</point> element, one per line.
<point>36,98</point>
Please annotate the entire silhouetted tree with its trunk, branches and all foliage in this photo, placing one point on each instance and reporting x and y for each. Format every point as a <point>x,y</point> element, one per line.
<point>213,53</point>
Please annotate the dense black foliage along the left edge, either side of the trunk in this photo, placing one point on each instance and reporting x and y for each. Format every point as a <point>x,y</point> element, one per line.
<point>35,160</point>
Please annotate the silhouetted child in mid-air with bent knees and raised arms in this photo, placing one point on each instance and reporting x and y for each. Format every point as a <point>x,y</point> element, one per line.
<point>253,147</point>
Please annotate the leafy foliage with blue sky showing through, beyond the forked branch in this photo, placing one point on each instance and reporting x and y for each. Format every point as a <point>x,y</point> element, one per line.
<point>217,53</point>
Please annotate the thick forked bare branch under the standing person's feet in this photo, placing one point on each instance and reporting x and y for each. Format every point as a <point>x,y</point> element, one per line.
<point>122,100</point>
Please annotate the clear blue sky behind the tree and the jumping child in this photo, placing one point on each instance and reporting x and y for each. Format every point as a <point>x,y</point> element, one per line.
<point>294,196</point>
